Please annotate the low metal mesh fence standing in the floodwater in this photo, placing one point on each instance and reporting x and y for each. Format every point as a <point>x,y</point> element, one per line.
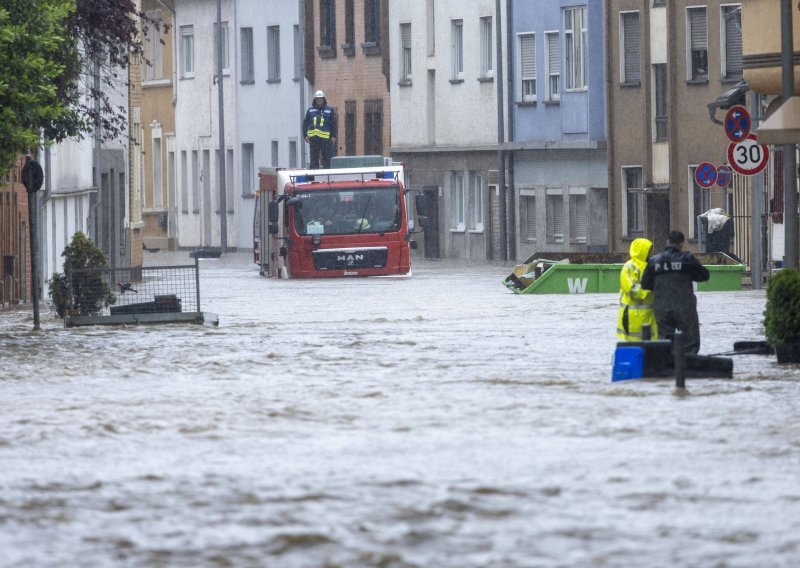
<point>137,290</point>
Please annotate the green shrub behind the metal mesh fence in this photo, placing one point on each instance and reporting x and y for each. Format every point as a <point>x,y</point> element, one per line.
<point>82,293</point>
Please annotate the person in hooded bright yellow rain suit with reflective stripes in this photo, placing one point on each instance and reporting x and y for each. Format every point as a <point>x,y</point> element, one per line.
<point>635,303</point>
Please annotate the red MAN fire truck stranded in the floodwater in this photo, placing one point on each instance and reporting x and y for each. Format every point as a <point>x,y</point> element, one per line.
<point>349,220</point>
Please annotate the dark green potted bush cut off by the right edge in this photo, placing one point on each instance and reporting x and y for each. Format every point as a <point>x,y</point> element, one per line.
<point>782,315</point>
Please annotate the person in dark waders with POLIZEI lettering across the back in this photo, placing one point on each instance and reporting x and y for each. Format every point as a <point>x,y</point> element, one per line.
<point>670,275</point>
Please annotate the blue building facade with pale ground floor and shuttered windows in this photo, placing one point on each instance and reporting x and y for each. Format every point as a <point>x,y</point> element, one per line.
<point>557,130</point>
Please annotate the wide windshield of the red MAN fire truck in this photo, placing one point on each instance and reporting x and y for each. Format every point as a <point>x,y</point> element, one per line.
<point>346,211</point>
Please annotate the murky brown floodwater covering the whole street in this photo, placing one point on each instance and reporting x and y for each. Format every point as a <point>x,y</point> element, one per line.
<point>436,421</point>
